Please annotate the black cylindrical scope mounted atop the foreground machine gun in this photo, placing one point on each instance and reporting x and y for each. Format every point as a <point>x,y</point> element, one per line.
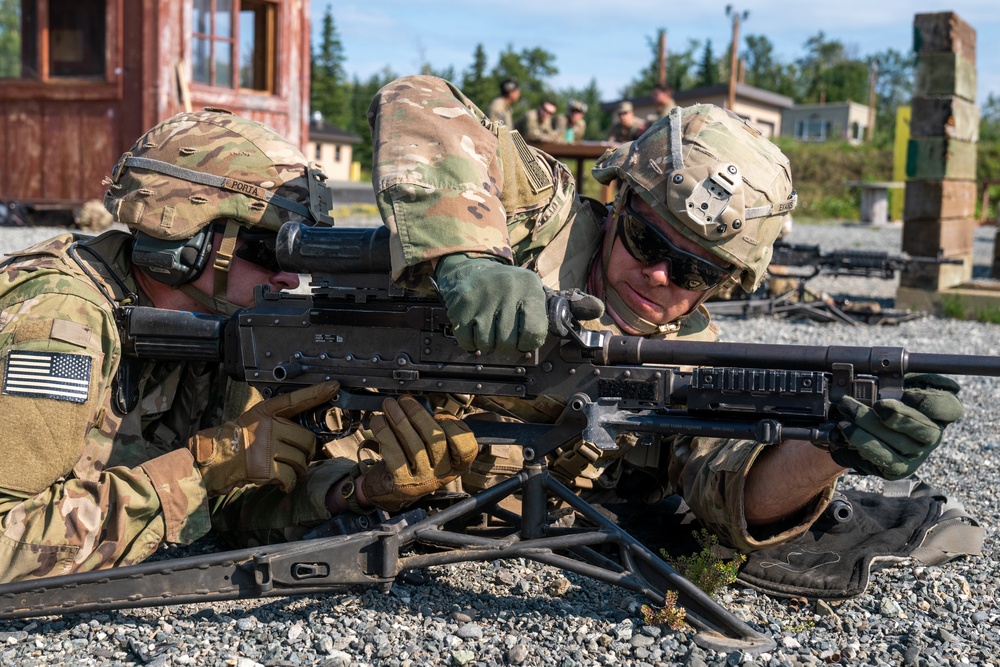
<point>307,249</point>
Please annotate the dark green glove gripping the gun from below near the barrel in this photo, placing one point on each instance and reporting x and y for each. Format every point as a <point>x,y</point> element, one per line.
<point>892,438</point>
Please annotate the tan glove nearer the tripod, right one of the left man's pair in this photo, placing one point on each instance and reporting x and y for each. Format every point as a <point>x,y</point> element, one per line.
<point>420,453</point>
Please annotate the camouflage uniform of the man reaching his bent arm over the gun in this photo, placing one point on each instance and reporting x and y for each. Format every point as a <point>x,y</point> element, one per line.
<point>447,181</point>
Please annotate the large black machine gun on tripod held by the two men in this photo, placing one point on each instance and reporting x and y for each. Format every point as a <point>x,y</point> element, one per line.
<point>379,340</point>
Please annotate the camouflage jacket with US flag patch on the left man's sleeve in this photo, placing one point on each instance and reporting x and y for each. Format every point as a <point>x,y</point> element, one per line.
<point>94,470</point>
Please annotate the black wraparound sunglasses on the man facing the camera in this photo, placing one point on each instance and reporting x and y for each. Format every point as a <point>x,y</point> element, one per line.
<point>649,246</point>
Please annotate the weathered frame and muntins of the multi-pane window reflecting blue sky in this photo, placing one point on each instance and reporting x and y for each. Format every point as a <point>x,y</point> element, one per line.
<point>269,59</point>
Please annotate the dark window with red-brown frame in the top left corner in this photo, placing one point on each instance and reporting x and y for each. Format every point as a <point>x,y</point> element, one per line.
<point>53,39</point>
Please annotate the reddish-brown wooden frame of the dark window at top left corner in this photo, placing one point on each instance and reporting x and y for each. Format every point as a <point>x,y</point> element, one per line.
<point>48,87</point>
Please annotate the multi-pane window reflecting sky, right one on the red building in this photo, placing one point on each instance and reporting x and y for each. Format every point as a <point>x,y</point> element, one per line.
<point>234,43</point>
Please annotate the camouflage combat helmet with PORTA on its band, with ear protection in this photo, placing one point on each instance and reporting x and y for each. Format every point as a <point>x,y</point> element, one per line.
<point>198,172</point>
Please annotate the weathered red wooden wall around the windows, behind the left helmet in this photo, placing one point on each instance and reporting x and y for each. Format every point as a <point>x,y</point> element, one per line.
<point>59,140</point>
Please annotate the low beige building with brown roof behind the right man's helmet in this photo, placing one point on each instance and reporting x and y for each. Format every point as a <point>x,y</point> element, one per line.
<point>761,107</point>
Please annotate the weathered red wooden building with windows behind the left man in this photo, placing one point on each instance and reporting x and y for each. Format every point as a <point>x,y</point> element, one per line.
<point>80,80</point>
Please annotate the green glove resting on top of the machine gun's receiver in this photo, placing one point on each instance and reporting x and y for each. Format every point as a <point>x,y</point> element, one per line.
<point>492,305</point>
